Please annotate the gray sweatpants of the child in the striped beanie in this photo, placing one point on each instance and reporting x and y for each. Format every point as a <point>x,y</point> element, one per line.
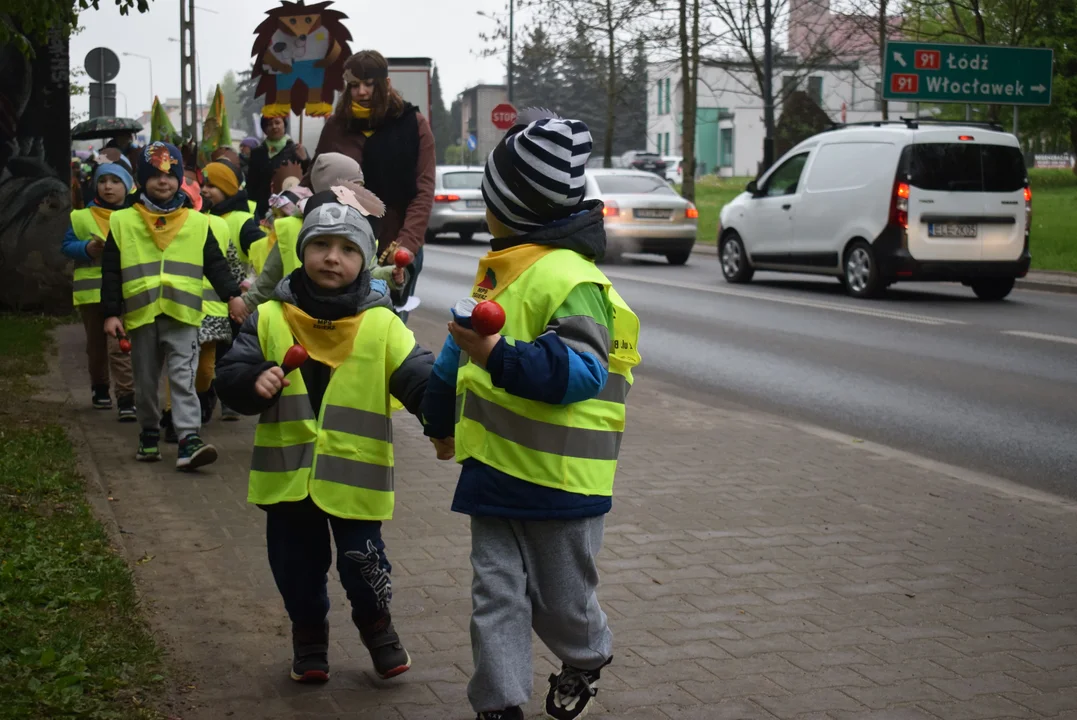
<point>533,575</point>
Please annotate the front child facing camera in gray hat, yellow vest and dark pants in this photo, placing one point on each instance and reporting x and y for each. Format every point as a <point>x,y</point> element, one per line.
<point>324,455</point>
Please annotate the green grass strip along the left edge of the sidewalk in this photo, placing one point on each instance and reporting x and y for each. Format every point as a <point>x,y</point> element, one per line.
<point>73,643</point>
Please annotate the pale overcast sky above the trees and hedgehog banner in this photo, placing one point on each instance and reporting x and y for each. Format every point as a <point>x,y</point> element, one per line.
<point>225,35</point>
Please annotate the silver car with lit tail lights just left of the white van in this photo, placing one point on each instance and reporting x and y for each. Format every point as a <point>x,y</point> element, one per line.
<point>644,215</point>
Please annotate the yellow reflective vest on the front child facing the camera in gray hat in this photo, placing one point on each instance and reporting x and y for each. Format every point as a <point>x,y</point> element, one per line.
<point>343,458</point>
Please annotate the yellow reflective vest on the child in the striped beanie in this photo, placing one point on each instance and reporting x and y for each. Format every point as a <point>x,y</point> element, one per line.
<point>572,447</point>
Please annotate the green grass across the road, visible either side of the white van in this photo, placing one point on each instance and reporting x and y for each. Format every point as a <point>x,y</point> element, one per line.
<point>1054,219</point>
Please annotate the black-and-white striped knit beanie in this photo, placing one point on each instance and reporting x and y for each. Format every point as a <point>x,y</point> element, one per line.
<point>536,175</point>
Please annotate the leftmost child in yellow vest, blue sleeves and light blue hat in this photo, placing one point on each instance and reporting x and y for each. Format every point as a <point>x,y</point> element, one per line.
<point>85,244</point>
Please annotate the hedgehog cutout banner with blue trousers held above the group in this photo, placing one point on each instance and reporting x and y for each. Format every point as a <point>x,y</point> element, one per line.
<point>300,53</point>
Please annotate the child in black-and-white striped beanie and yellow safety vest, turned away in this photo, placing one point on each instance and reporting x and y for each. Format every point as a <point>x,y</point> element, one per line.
<point>537,414</point>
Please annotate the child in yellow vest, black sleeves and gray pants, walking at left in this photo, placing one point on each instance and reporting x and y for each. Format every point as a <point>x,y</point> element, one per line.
<point>156,258</point>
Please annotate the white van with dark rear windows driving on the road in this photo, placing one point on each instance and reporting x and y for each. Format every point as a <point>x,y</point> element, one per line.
<point>882,203</point>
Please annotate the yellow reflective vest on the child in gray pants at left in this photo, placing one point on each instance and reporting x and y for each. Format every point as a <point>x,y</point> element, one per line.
<point>158,281</point>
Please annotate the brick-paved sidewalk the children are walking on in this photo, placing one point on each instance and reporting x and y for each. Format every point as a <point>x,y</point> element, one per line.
<point>751,570</point>
